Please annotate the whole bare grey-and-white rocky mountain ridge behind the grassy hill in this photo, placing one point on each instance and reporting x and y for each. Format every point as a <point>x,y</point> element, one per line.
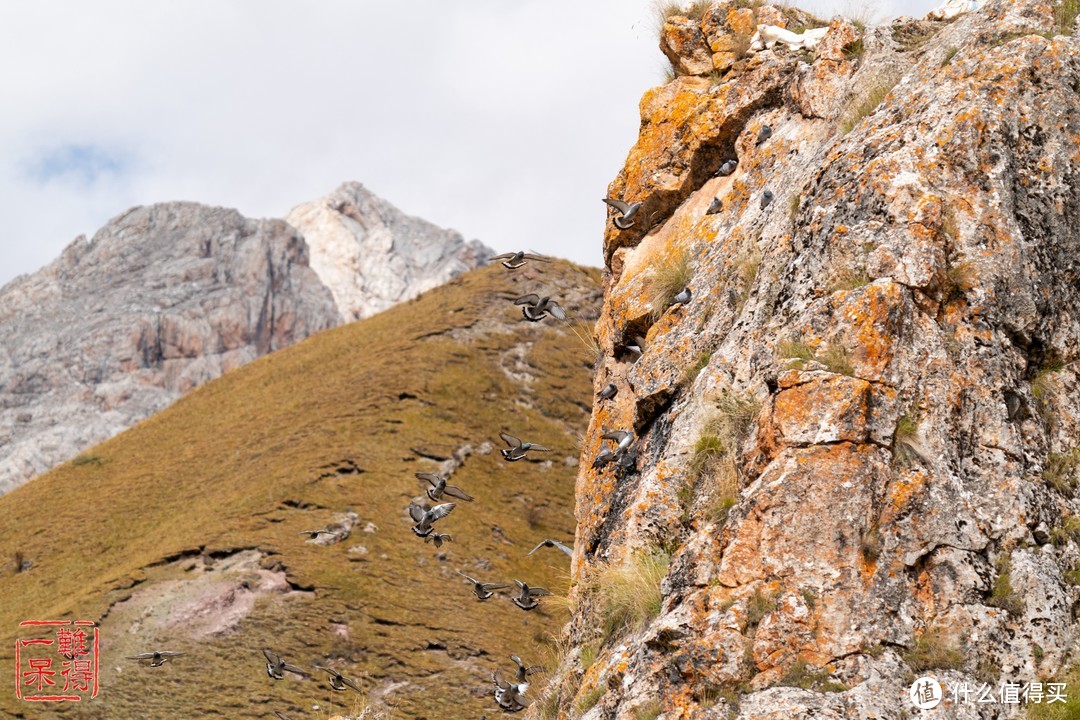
<point>170,296</point>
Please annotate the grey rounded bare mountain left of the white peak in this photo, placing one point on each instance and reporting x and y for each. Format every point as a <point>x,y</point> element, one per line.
<point>163,300</point>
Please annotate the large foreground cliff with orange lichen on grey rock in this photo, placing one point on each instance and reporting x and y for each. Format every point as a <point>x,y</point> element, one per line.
<point>857,445</point>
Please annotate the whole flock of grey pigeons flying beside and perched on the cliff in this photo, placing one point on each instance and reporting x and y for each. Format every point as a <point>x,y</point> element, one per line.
<point>510,697</point>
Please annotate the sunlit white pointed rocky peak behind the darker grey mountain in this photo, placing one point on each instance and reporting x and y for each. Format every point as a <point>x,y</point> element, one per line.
<point>372,256</point>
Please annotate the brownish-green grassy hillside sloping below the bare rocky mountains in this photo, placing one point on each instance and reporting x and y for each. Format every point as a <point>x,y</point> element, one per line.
<point>181,534</point>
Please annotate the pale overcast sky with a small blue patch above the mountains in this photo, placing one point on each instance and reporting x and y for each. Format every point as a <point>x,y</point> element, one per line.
<point>503,119</point>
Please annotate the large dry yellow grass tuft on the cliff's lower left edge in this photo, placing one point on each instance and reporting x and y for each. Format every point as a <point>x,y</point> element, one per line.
<point>629,592</point>
